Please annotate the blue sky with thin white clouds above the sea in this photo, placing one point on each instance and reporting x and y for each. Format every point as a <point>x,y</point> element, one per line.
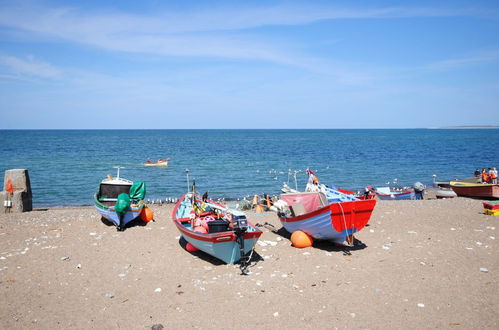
<point>248,64</point>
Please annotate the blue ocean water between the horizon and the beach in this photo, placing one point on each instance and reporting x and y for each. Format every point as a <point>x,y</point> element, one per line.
<point>66,166</point>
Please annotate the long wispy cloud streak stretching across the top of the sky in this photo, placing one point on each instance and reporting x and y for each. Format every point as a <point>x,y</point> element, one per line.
<point>215,32</point>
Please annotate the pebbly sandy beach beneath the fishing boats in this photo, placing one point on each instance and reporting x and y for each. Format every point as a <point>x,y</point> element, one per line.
<point>425,264</point>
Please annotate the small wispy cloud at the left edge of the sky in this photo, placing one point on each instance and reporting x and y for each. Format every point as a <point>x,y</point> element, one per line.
<point>28,67</point>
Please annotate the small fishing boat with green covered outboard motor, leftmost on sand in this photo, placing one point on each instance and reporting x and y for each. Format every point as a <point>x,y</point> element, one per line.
<point>120,200</point>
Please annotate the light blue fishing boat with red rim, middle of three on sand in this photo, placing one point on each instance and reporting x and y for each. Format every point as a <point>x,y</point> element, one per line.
<point>213,228</point>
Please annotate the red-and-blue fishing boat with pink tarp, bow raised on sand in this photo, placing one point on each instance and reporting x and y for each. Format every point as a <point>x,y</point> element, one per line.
<point>324,213</point>
